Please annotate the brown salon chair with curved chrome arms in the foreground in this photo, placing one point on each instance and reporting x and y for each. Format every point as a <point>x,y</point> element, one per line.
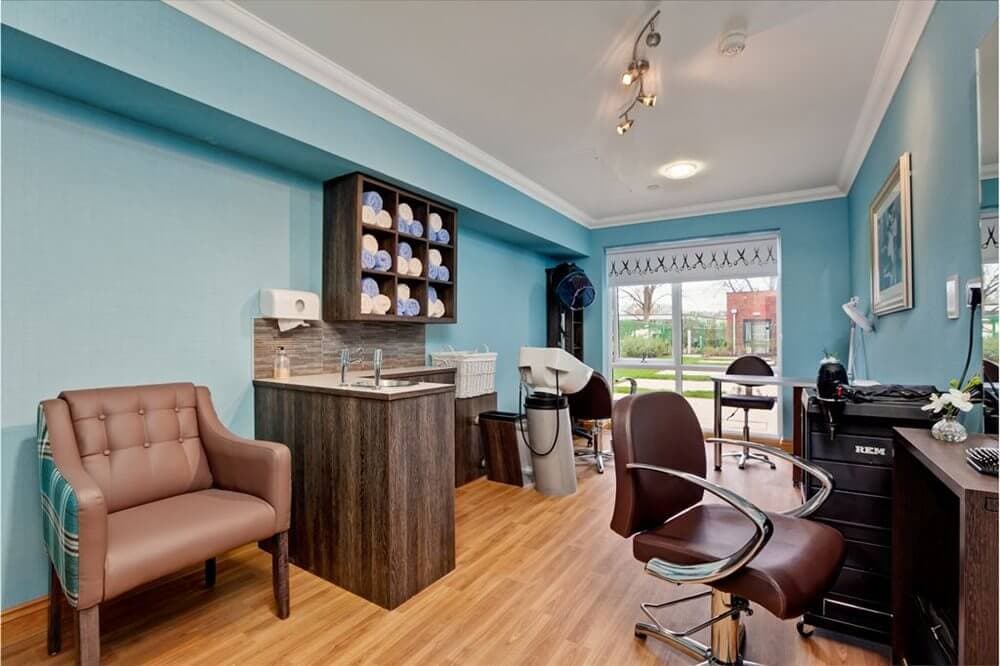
<point>779,561</point>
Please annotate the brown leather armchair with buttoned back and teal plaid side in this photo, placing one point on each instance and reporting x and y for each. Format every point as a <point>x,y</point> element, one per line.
<point>140,482</point>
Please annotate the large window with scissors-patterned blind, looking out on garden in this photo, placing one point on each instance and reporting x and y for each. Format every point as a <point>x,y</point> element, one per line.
<point>683,326</point>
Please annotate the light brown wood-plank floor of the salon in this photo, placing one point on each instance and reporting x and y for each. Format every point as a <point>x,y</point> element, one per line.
<point>539,581</point>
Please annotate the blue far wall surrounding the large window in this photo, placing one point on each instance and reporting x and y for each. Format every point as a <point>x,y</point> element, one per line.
<point>814,282</point>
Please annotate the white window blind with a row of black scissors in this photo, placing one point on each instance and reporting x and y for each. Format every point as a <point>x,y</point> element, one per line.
<point>733,257</point>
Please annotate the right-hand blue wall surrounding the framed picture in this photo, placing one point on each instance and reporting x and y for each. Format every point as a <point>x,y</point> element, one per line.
<point>933,116</point>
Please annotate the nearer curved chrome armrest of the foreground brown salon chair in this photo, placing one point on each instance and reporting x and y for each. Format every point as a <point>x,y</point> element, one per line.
<point>707,572</point>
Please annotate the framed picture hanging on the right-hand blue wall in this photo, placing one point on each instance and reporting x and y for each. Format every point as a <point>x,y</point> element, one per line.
<point>891,230</point>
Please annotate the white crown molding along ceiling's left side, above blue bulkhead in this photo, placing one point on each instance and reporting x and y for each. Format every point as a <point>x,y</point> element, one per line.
<point>237,23</point>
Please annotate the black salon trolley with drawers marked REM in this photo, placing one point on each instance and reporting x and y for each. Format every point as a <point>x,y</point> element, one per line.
<point>860,458</point>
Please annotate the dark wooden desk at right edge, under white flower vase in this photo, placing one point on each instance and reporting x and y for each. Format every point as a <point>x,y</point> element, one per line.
<point>944,547</point>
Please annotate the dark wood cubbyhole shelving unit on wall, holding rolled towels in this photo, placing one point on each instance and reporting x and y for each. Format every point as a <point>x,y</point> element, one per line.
<point>343,230</point>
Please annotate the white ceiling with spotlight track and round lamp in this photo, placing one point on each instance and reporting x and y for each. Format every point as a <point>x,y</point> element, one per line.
<point>536,87</point>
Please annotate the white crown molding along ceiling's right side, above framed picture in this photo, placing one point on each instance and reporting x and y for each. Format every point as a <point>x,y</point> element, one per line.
<point>904,33</point>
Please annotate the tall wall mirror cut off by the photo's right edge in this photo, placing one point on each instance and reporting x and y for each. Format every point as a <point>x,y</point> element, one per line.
<point>986,70</point>
